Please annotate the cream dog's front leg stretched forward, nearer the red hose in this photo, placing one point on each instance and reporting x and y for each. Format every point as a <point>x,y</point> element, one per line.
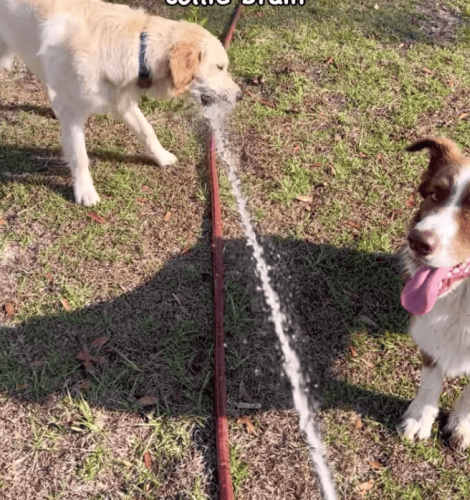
<point>138,125</point>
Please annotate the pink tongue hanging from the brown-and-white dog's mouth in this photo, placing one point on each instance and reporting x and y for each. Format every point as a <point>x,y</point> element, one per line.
<point>421,292</point>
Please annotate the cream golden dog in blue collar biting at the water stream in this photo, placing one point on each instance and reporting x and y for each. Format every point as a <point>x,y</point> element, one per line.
<point>96,57</point>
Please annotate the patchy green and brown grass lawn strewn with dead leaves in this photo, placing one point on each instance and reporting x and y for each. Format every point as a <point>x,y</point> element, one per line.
<point>334,91</point>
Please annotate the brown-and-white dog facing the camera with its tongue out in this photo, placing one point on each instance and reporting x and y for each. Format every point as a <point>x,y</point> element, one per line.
<point>437,260</point>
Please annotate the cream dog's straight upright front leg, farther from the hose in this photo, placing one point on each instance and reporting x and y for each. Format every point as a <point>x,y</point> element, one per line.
<point>73,142</point>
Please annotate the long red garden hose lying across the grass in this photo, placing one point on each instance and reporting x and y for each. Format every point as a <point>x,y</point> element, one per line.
<point>222,444</point>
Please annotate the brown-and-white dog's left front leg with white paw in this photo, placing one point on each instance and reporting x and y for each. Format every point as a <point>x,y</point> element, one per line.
<point>418,419</point>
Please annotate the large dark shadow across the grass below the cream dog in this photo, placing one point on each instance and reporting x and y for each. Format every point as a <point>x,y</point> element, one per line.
<point>161,339</point>
